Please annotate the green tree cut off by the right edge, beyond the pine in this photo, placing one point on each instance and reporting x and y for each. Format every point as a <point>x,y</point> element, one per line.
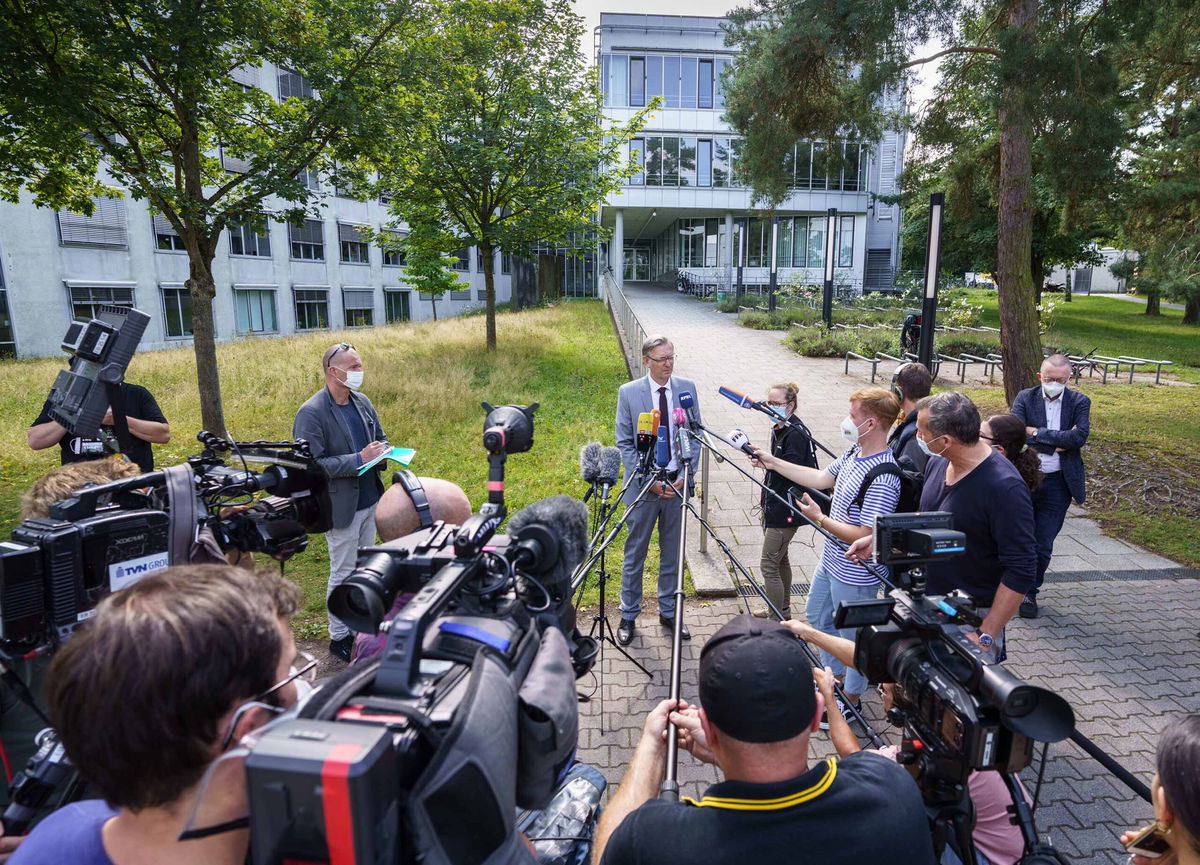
<point>1162,187</point>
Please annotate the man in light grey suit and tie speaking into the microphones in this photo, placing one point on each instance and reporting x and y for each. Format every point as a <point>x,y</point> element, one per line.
<point>659,391</point>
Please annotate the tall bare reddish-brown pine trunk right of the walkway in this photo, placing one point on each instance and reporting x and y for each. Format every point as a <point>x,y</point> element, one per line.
<point>1019,340</point>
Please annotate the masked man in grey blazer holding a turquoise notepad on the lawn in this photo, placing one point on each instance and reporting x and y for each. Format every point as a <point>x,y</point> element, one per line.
<point>344,431</point>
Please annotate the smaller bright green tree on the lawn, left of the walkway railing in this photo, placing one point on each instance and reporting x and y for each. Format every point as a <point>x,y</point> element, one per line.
<point>508,146</point>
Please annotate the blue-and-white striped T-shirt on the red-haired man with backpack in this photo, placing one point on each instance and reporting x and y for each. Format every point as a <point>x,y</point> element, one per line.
<point>881,497</point>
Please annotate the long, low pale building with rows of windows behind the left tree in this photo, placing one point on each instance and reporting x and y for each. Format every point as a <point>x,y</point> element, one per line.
<point>57,267</point>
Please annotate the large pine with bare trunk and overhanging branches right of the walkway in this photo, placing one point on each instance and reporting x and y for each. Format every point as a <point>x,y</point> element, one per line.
<point>1042,70</point>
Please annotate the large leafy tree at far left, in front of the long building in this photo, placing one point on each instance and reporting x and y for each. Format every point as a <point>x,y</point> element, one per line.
<point>158,97</point>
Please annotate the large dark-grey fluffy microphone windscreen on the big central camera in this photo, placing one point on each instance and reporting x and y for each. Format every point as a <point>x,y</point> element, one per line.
<point>551,537</point>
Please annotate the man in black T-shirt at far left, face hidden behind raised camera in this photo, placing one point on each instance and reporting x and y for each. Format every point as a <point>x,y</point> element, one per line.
<point>146,421</point>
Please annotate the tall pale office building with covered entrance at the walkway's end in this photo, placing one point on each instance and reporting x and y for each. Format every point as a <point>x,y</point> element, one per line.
<point>687,209</point>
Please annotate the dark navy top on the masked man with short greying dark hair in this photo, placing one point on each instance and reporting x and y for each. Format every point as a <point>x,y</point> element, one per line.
<point>993,508</point>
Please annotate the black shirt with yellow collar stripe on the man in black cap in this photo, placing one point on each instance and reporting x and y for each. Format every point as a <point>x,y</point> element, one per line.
<point>862,809</point>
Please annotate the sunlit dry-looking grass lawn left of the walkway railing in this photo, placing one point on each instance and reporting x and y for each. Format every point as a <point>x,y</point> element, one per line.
<point>427,380</point>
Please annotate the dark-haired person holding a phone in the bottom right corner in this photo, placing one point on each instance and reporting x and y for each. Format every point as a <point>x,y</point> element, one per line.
<point>1175,794</point>
